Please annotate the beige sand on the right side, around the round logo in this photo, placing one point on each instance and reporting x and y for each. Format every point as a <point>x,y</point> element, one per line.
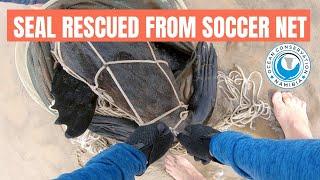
<point>251,56</point>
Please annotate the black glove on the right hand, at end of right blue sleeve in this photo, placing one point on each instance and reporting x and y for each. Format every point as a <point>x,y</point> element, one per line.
<point>196,140</point>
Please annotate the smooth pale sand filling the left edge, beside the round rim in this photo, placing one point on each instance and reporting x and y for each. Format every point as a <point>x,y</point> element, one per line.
<point>32,147</point>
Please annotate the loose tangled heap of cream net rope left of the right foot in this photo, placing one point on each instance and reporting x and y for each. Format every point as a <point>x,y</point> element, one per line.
<point>243,95</point>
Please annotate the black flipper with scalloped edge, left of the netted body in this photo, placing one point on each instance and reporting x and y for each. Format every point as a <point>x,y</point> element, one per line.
<point>74,101</point>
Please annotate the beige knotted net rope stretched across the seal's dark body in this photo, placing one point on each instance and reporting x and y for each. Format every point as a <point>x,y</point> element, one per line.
<point>103,105</point>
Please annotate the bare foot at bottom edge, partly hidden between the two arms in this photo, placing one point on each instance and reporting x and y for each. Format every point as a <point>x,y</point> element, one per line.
<point>181,169</point>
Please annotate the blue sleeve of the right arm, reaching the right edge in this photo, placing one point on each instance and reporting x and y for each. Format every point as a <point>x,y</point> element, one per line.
<point>266,158</point>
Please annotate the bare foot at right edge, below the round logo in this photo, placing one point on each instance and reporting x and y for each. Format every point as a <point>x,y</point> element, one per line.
<point>291,112</point>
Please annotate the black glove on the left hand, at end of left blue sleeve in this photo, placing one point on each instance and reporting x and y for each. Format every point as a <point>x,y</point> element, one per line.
<point>153,140</point>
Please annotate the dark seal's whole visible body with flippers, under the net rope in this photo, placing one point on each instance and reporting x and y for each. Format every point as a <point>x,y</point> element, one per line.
<point>144,84</point>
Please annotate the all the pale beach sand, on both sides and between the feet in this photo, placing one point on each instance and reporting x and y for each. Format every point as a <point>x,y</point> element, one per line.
<point>32,147</point>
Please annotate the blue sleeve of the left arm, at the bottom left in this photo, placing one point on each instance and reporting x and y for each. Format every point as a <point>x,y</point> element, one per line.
<point>121,161</point>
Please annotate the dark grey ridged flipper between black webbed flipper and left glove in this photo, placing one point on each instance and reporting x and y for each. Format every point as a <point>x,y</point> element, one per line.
<point>112,127</point>
